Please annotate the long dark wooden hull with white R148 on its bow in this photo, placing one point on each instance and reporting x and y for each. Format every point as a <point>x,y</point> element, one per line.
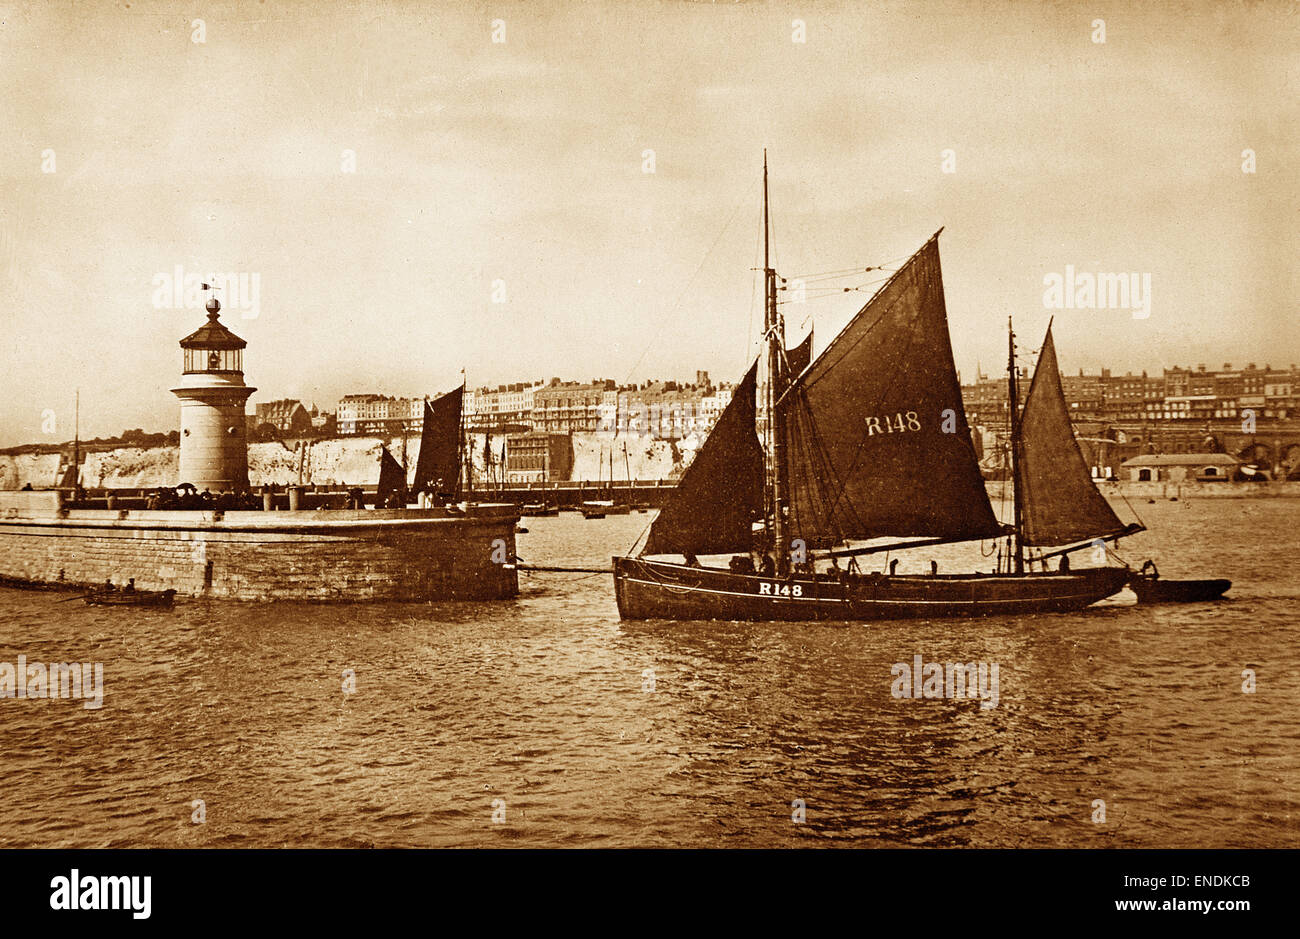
<point>658,590</point>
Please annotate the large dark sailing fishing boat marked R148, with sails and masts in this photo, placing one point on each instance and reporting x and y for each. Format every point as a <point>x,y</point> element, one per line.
<point>870,442</point>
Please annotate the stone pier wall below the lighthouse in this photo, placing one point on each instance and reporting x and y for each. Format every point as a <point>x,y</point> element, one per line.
<point>328,556</point>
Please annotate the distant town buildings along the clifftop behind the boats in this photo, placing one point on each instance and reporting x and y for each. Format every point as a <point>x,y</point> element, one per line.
<point>1182,410</point>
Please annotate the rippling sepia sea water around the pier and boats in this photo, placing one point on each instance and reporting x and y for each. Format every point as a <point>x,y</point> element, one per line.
<point>590,732</point>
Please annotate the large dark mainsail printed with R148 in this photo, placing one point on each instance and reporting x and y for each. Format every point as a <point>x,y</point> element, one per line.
<point>877,439</point>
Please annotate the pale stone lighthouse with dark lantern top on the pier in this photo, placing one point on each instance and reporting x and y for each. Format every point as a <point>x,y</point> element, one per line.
<point>214,447</point>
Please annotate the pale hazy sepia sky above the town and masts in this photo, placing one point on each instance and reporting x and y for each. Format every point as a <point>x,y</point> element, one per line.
<point>414,198</point>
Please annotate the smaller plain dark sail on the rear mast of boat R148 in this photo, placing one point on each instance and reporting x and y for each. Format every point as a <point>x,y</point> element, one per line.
<point>1060,504</point>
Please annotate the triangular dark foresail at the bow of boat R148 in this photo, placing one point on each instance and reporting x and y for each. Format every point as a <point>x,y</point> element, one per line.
<point>721,495</point>
